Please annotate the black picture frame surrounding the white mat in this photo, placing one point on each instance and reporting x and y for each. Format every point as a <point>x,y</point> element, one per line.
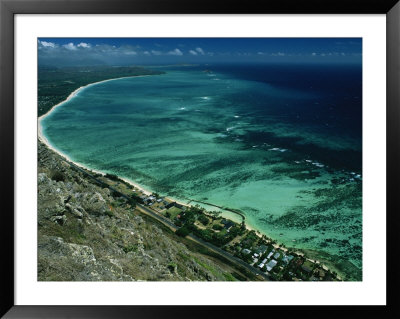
<point>8,10</point>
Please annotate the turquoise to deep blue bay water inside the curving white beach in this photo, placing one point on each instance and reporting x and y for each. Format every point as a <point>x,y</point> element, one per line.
<point>288,157</point>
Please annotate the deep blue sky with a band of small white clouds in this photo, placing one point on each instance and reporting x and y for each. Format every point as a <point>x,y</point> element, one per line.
<point>155,51</point>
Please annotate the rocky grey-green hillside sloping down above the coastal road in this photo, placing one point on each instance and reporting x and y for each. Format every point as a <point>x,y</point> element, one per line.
<point>85,233</point>
